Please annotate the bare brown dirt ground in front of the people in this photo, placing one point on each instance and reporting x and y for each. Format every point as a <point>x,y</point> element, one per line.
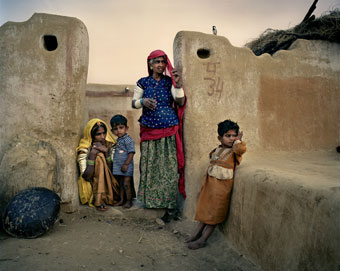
<point>117,239</point>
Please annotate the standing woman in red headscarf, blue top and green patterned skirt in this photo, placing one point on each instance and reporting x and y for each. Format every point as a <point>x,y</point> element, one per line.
<point>162,99</point>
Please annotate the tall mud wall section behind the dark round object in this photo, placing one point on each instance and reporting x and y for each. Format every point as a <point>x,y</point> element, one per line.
<point>43,71</point>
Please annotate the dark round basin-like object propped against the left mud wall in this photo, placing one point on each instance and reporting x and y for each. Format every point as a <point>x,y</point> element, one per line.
<point>31,213</point>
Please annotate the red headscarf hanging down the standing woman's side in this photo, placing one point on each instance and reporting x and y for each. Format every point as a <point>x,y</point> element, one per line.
<point>180,112</point>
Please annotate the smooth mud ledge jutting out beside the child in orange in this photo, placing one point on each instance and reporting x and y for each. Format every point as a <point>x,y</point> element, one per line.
<point>285,210</point>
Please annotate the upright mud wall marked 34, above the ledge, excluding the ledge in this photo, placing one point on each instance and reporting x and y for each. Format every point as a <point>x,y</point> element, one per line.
<point>289,102</point>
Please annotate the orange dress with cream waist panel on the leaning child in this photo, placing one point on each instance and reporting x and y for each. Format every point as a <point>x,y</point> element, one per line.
<point>213,202</point>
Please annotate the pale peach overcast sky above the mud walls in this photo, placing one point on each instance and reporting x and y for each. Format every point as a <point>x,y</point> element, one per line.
<point>123,32</point>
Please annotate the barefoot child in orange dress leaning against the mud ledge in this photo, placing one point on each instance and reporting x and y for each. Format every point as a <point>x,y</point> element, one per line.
<point>213,202</point>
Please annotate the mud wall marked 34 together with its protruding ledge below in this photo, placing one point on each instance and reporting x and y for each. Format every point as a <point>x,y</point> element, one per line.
<point>285,207</point>
